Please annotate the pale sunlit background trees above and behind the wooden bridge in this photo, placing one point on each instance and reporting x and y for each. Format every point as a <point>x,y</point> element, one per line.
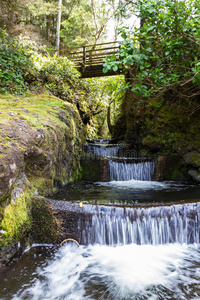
<point>83,21</point>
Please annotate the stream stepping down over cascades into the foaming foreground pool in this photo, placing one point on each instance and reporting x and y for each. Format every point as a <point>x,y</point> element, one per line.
<point>142,242</point>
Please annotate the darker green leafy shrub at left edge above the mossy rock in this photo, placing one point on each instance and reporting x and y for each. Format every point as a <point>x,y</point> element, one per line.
<point>15,64</point>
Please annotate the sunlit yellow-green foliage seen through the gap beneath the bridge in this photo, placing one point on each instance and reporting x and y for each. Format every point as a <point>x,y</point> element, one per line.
<point>96,96</point>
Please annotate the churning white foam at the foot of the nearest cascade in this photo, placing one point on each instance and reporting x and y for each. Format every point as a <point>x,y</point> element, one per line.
<point>127,272</point>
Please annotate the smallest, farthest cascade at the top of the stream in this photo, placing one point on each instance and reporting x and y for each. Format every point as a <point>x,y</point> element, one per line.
<point>102,149</point>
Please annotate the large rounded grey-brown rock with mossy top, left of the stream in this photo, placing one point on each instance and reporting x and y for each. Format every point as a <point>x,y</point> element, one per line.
<point>39,154</point>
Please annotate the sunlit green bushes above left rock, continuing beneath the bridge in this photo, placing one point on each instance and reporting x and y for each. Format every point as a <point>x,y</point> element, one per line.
<point>57,76</point>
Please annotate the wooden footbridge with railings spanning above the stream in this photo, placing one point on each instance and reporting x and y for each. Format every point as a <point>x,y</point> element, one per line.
<point>89,59</point>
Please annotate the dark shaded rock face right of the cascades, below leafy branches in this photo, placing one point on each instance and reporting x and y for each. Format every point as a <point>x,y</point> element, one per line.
<point>163,127</point>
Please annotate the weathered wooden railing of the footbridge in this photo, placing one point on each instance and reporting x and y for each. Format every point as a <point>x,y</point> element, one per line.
<point>90,55</point>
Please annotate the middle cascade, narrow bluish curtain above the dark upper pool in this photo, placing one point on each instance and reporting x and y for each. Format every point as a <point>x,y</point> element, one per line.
<point>123,171</point>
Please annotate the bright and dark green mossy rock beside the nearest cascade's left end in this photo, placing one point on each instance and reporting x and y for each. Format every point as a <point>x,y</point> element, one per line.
<point>29,215</point>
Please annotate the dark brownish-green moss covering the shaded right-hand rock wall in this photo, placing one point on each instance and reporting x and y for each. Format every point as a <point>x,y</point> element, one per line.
<point>160,126</point>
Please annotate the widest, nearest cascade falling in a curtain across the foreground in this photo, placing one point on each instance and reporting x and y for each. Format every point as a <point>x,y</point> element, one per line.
<point>142,226</point>
